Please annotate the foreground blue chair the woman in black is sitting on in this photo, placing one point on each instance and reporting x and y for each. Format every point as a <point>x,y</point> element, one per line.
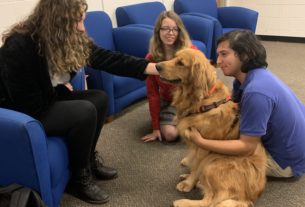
<point>30,158</point>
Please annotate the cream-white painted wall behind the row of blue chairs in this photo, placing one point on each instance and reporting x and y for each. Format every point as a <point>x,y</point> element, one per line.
<point>276,17</point>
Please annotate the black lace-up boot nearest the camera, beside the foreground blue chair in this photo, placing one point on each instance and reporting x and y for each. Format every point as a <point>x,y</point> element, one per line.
<point>83,187</point>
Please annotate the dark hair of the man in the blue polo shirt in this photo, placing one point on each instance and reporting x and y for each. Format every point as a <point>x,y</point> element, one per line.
<point>248,47</point>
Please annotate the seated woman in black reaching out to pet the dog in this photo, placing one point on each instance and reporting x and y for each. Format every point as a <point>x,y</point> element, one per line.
<point>37,59</point>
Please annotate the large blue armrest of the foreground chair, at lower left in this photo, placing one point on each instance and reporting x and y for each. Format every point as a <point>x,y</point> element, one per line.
<point>23,153</point>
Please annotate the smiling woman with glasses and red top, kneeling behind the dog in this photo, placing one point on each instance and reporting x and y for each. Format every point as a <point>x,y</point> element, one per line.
<point>169,36</point>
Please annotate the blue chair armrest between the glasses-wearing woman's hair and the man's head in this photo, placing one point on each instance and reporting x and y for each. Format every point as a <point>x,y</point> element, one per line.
<point>200,29</point>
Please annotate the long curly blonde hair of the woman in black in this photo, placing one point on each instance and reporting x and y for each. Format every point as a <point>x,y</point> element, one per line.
<point>53,24</point>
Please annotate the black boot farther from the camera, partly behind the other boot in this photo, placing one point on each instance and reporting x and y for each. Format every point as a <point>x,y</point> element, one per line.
<point>100,171</point>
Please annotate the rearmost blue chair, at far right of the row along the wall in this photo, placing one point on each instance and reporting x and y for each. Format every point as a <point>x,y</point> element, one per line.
<point>225,18</point>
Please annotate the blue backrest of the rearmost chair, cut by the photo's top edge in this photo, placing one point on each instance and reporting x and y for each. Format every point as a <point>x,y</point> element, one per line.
<point>208,7</point>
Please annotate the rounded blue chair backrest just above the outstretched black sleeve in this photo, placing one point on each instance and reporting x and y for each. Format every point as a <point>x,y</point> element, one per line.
<point>99,27</point>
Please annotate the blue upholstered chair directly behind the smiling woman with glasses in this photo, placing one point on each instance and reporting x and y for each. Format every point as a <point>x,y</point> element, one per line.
<point>140,14</point>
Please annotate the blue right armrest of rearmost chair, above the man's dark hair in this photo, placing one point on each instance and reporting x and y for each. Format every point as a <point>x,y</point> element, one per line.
<point>238,17</point>
